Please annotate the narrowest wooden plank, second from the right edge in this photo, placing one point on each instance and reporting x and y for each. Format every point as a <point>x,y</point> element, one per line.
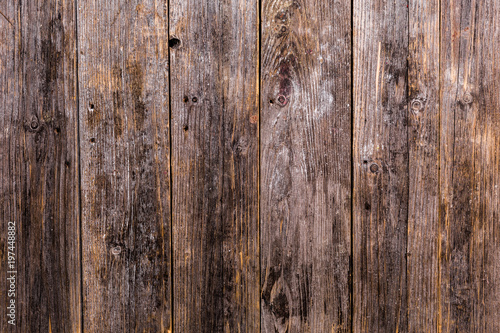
<point>423,145</point>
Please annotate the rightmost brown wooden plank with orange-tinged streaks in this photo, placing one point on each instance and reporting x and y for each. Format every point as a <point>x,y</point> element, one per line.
<point>470,119</point>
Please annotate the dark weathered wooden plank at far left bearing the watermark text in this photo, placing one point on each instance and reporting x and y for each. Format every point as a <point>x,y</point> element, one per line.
<point>39,165</point>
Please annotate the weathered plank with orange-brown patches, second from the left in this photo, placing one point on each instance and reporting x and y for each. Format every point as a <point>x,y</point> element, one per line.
<point>124,126</point>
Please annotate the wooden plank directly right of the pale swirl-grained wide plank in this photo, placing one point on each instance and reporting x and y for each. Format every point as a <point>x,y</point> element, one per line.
<point>381,178</point>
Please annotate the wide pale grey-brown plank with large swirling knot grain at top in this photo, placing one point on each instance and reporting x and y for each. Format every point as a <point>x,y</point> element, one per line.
<point>305,166</point>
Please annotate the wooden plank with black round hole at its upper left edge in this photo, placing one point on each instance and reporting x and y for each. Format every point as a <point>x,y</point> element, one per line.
<point>214,75</point>
